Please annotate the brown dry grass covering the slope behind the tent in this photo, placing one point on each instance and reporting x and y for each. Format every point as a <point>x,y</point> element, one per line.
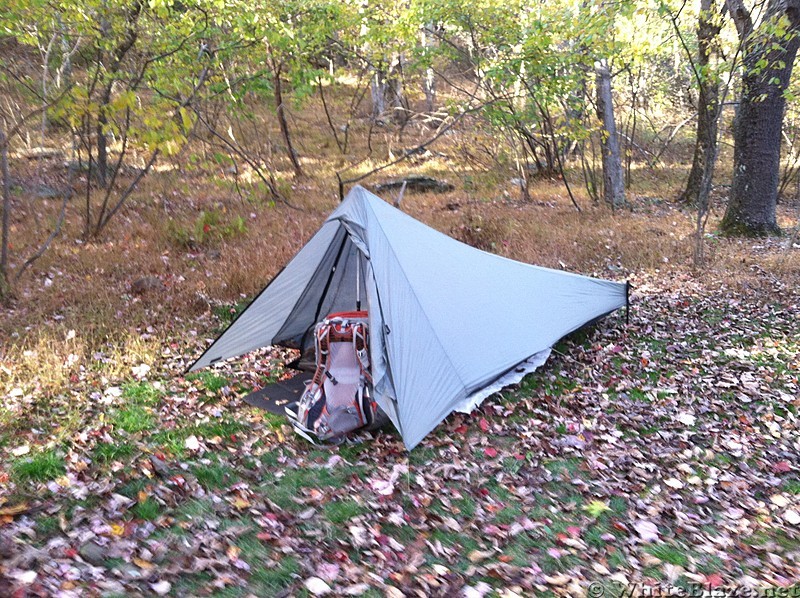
<point>86,286</point>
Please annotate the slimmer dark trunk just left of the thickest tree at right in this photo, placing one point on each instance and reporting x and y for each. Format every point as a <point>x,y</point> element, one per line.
<point>708,29</point>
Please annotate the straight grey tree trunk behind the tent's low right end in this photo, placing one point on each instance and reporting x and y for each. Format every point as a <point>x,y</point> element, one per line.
<point>613,179</point>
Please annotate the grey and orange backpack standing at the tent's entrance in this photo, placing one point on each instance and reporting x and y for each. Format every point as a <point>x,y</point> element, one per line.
<point>338,399</point>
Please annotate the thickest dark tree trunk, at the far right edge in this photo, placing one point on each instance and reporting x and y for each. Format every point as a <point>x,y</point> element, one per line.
<point>768,60</point>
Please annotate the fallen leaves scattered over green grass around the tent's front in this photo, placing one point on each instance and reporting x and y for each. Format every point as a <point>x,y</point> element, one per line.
<point>665,450</point>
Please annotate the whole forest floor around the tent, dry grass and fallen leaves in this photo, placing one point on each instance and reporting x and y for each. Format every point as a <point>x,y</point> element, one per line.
<point>663,450</point>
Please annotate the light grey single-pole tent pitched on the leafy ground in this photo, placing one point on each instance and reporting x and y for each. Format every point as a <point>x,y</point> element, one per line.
<point>449,324</point>
